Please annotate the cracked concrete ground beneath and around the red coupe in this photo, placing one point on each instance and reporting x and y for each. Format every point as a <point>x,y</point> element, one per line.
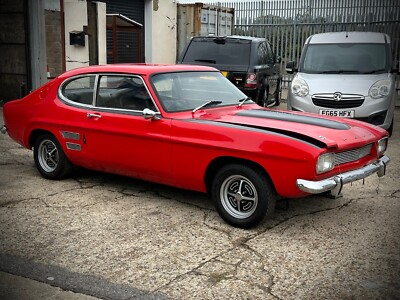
<point>110,237</point>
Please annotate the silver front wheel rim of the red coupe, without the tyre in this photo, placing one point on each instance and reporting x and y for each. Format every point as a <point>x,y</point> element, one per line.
<point>238,196</point>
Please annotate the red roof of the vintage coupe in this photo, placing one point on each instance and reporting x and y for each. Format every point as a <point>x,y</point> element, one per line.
<point>142,69</point>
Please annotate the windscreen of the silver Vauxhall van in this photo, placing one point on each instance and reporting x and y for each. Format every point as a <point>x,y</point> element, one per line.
<point>345,59</point>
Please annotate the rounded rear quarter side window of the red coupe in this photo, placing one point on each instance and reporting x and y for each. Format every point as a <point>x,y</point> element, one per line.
<point>79,90</point>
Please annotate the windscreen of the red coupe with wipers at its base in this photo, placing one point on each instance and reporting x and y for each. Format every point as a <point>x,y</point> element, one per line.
<point>184,91</point>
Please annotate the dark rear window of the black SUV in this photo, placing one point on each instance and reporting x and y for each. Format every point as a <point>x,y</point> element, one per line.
<point>218,51</point>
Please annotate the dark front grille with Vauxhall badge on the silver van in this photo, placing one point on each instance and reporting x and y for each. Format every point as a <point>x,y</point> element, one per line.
<point>347,101</point>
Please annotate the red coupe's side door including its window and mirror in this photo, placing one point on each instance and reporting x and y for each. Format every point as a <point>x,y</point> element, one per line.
<point>120,138</point>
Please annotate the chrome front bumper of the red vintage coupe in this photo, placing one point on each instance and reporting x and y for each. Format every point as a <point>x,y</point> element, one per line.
<point>335,184</point>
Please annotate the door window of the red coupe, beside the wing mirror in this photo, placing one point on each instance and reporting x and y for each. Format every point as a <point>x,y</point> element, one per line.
<point>123,92</point>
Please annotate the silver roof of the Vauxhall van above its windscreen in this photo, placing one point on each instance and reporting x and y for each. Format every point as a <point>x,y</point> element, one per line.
<point>346,37</point>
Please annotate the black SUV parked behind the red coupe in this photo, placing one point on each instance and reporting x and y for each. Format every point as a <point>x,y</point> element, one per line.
<point>248,62</point>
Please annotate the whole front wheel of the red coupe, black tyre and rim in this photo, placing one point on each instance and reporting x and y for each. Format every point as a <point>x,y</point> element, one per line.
<point>243,196</point>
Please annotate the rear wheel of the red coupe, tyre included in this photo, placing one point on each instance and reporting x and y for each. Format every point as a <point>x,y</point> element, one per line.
<point>50,159</point>
